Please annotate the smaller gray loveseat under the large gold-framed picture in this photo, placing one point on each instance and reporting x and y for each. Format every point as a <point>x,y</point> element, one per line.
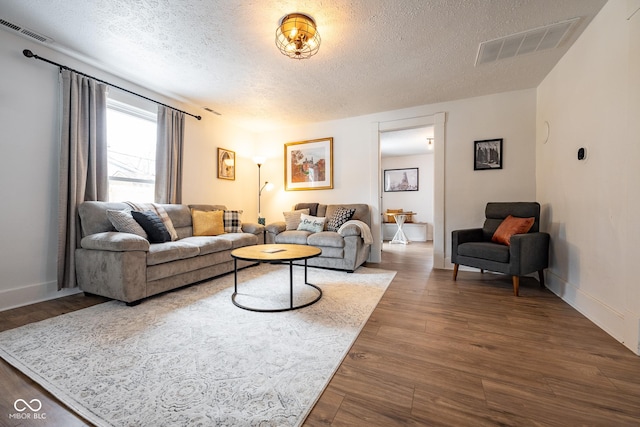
<point>346,250</point>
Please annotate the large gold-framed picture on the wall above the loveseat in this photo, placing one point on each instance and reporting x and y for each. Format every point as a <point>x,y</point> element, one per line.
<point>308,165</point>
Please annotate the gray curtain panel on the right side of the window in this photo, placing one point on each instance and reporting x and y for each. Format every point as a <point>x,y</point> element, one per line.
<point>169,155</point>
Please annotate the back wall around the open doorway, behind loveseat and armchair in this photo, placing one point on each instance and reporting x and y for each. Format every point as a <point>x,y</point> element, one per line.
<point>510,116</point>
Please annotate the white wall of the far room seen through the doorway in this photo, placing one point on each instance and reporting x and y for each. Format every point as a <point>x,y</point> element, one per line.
<point>420,201</point>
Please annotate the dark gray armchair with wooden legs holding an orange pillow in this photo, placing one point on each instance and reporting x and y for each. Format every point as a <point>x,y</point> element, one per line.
<point>526,254</point>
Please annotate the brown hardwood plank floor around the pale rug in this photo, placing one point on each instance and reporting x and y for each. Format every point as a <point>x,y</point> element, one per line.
<point>439,353</point>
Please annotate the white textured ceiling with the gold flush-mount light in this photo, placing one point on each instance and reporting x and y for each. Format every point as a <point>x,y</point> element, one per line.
<point>376,55</point>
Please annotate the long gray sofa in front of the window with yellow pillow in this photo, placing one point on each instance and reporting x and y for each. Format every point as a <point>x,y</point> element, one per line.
<point>128,268</point>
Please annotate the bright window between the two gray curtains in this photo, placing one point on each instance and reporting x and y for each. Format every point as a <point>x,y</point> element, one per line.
<point>131,151</point>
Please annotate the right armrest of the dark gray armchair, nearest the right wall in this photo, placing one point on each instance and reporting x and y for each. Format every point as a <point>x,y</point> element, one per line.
<point>529,252</point>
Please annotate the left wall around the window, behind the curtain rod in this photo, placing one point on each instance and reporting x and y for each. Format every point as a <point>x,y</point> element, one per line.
<point>29,141</point>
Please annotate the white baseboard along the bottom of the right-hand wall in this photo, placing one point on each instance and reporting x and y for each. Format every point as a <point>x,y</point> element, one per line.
<point>605,317</point>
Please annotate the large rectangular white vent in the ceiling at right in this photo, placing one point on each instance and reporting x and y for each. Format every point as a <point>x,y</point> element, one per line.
<point>548,37</point>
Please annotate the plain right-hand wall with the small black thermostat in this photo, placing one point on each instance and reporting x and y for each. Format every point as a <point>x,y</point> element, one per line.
<point>592,99</point>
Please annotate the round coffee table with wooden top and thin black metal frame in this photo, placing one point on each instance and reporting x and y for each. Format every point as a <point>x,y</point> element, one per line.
<point>275,253</point>
